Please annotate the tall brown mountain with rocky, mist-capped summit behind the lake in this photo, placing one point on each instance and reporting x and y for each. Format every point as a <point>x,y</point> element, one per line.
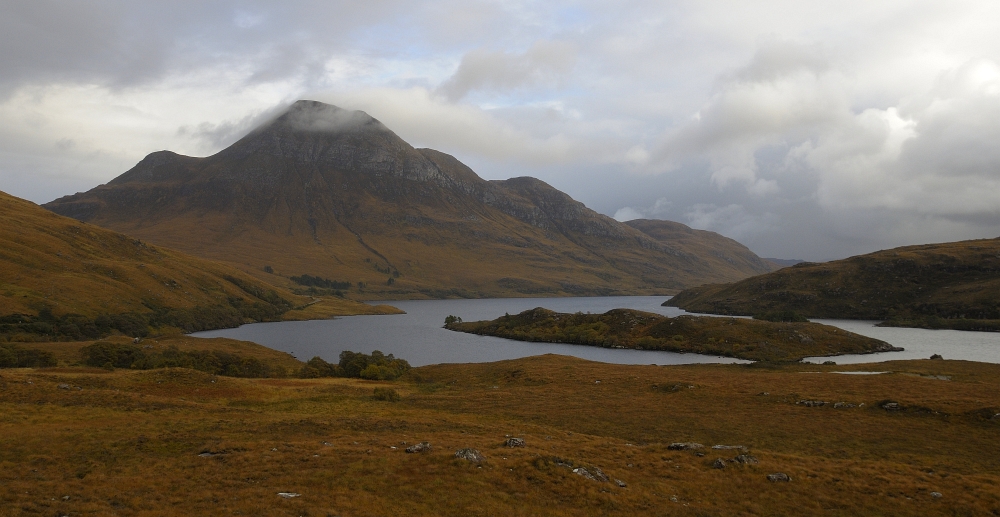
<point>335,194</point>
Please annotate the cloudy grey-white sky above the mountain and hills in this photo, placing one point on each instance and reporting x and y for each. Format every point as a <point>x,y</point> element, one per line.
<point>813,130</point>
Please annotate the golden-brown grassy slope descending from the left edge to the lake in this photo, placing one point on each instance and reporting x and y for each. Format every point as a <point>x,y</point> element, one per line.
<point>62,279</point>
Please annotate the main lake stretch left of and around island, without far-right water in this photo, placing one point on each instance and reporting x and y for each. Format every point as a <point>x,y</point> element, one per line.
<point>417,336</point>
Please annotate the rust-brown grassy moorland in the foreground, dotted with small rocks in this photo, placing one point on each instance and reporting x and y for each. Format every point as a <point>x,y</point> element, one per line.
<point>179,442</point>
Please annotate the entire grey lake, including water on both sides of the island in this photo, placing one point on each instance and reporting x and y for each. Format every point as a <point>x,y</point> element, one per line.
<point>417,336</point>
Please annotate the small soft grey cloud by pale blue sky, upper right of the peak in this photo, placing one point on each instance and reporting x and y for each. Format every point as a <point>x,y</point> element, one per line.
<point>546,62</point>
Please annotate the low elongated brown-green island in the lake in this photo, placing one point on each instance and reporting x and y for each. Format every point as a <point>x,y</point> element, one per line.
<point>626,328</point>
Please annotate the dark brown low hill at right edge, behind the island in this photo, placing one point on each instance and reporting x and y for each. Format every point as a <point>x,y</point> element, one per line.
<point>953,285</point>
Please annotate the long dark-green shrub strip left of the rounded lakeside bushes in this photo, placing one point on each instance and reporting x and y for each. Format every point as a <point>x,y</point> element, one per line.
<point>116,355</point>
